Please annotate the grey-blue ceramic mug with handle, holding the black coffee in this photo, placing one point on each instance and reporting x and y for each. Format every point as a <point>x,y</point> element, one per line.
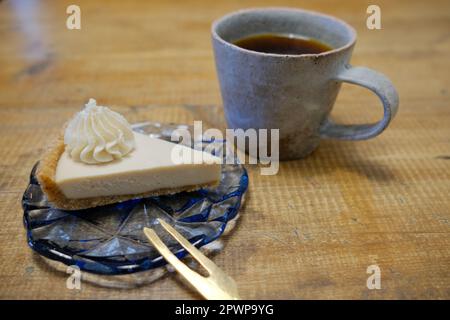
<point>293,93</point>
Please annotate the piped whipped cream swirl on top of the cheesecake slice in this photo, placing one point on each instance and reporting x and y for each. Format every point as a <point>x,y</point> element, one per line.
<point>98,135</point>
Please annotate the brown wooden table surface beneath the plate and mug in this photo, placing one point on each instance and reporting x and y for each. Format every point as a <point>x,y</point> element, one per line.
<point>309,232</point>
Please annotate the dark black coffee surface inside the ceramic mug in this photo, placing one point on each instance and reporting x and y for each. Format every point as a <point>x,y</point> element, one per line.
<point>282,44</point>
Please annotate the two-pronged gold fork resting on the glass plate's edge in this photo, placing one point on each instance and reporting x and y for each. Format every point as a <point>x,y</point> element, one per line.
<point>216,286</point>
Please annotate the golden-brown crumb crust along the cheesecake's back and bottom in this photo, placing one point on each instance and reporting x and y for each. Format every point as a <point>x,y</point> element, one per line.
<point>46,176</point>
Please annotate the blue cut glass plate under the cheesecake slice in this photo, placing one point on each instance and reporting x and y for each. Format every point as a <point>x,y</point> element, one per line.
<point>109,239</point>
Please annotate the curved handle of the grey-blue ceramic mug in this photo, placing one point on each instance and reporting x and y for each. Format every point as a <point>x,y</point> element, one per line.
<point>382,87</point>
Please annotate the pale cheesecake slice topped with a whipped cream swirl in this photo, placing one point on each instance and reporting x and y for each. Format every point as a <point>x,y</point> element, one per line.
<point>100,160</point>
